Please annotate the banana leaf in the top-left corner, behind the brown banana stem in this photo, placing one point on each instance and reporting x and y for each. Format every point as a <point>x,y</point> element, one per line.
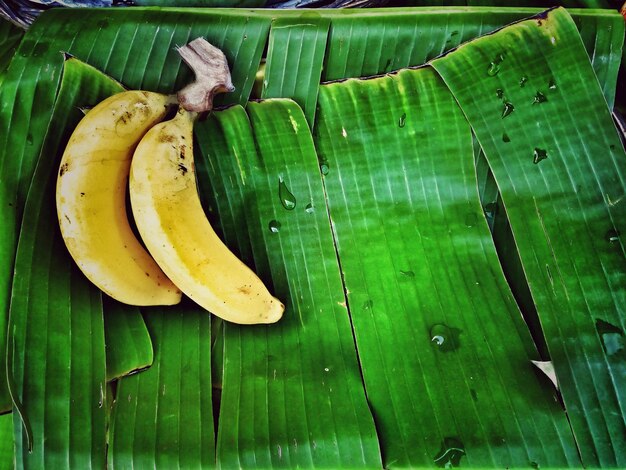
<point>29,92</point>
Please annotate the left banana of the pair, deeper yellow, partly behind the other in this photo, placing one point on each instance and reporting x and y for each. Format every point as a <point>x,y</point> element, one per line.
<point>91,199</point>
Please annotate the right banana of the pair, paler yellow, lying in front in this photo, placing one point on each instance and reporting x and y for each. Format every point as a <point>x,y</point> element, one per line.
<point>169,216</point>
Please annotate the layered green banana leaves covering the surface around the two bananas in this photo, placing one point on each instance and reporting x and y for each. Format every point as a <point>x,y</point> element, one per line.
<point>433,228</point>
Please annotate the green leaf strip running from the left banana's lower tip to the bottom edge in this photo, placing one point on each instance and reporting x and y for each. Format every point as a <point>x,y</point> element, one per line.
<point>163,417</point>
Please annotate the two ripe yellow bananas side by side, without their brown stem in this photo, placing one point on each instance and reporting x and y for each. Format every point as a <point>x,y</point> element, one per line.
<point>124,140</point>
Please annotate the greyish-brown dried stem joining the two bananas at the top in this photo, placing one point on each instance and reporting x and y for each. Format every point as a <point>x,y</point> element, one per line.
<point>210,67</point>
